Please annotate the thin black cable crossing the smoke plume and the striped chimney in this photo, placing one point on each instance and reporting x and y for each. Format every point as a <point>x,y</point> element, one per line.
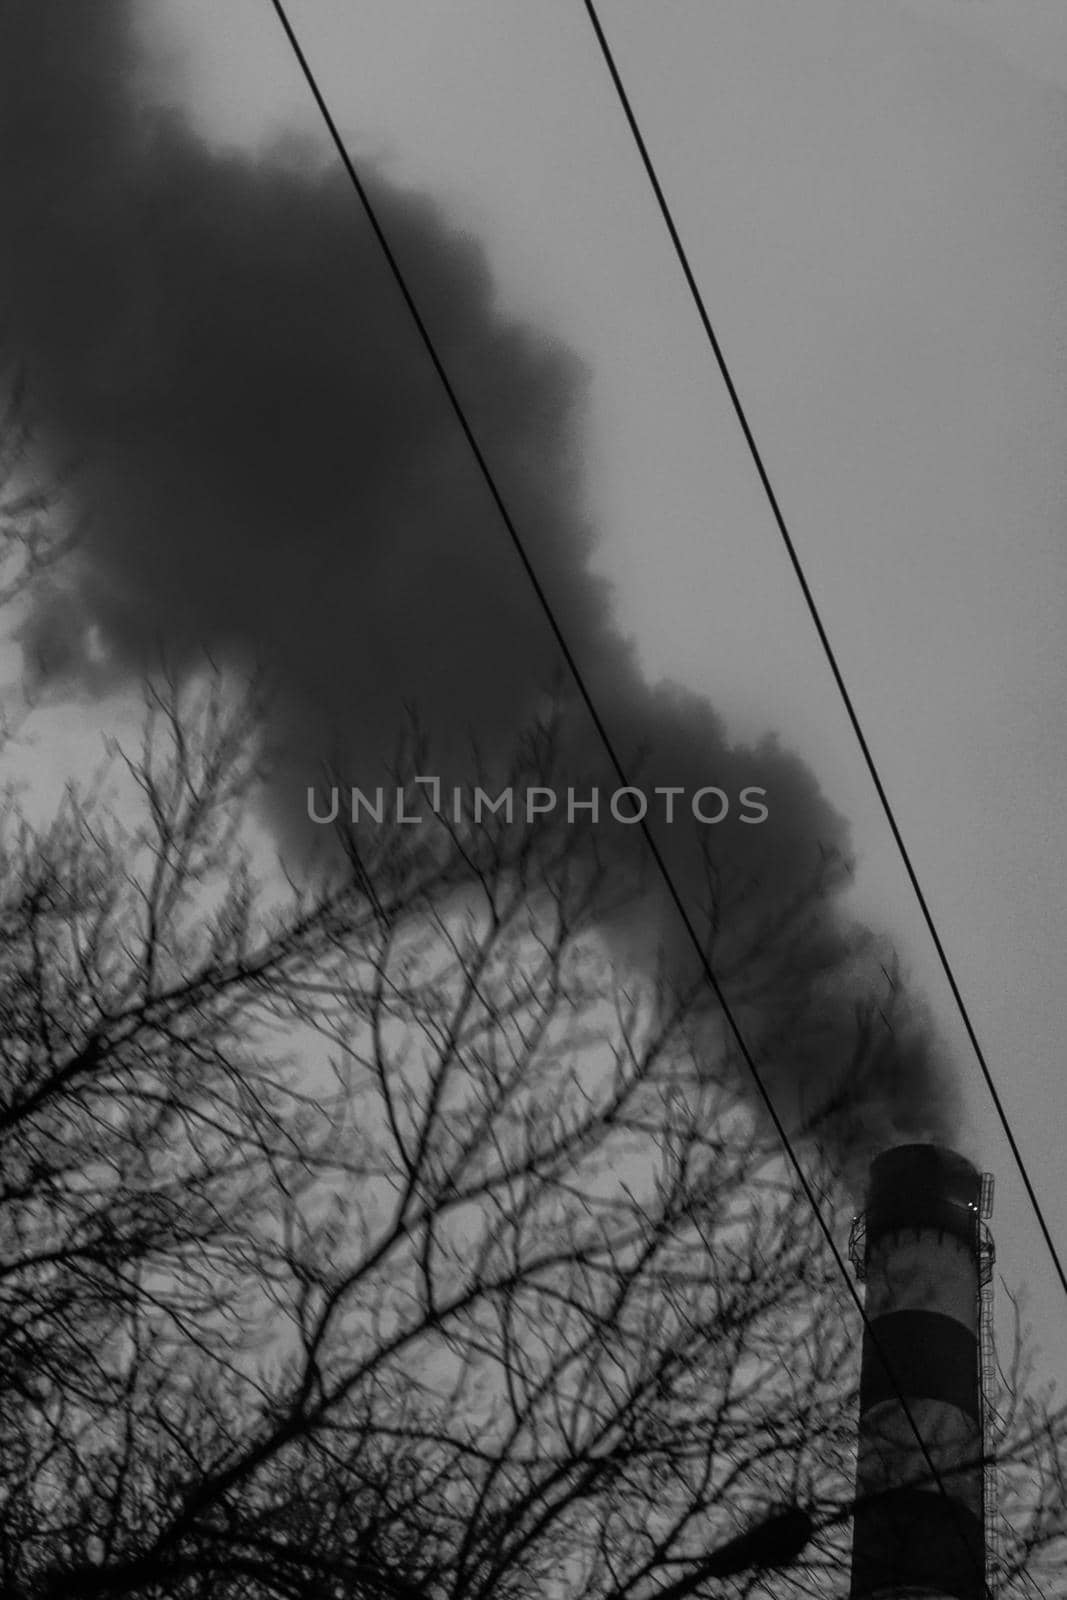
<point>490,482</point>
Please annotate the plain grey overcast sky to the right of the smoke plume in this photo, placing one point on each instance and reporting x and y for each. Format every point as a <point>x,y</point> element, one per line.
<point>873,201</point>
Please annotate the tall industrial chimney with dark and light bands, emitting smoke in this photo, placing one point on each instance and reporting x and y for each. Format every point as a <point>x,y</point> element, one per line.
<point>927,1258</point>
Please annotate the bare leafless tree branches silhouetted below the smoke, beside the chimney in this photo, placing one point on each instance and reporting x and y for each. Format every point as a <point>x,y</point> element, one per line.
<point>374,1236</point>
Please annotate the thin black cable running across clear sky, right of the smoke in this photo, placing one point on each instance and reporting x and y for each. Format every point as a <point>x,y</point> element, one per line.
<point>820,626</point>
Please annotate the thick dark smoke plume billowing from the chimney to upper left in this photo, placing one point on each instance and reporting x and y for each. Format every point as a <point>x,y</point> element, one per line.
<point>215,343</point>
